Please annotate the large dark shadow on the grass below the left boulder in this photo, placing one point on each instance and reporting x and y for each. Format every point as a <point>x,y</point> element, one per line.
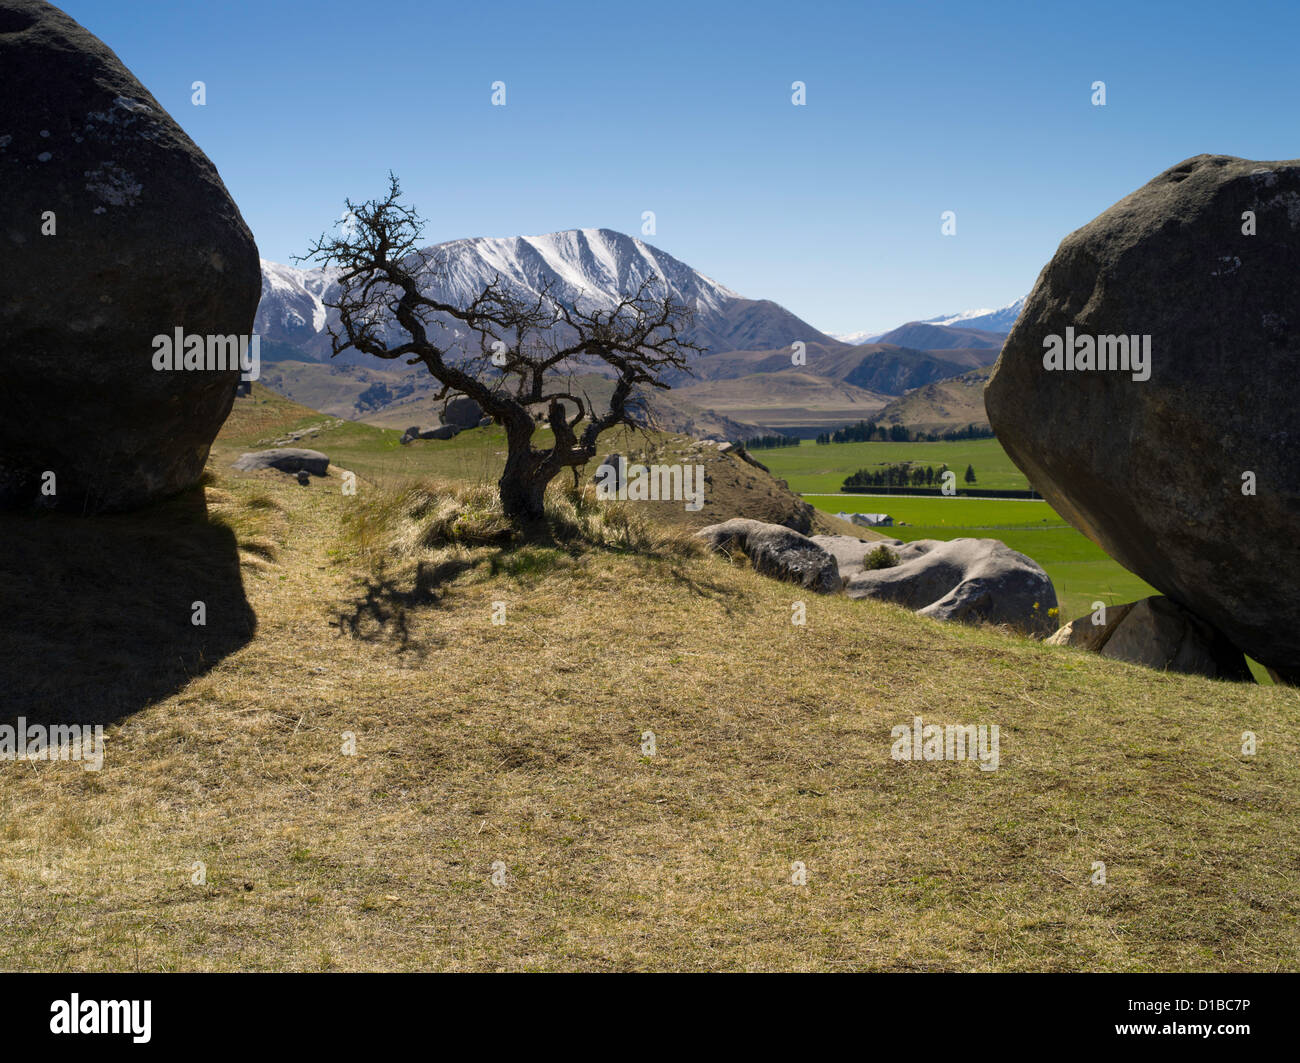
<point>97,614</point>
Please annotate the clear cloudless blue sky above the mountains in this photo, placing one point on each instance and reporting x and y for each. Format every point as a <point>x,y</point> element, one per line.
<point>684,109</point>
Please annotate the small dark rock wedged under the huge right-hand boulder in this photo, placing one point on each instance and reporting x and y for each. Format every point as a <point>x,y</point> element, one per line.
<point>1158,634</point>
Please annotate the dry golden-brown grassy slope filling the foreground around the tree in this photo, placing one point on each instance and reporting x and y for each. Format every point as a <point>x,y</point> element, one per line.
<point>519,747</point>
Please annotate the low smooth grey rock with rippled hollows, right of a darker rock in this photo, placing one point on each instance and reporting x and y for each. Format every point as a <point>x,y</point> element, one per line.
<point>976,582</point>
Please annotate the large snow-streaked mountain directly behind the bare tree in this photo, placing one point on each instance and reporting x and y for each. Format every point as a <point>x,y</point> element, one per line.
<point>591,266</point>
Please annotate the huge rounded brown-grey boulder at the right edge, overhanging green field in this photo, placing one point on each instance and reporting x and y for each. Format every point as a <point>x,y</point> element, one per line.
<point>1155,470</point>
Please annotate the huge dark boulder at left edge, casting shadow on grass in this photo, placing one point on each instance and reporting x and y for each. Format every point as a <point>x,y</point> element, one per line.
<point>146,241</point>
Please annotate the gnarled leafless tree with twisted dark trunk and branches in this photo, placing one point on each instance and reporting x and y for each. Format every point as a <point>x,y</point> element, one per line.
<point>506,352</point>
